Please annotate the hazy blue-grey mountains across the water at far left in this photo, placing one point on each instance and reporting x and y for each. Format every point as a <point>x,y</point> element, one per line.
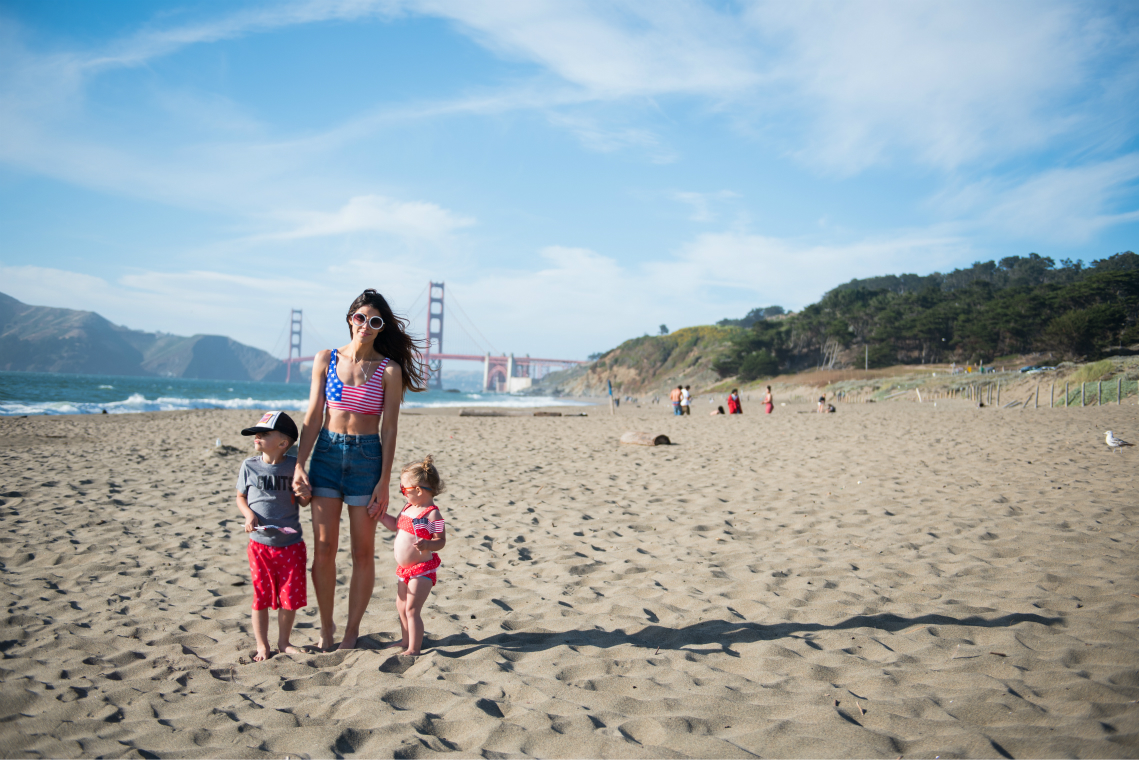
<point>47,340</point>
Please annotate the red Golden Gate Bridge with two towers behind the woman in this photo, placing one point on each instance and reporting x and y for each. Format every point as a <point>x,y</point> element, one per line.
<point>504,374</point>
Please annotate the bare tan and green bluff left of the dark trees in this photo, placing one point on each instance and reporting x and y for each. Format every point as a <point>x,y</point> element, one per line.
<point>646,365</point>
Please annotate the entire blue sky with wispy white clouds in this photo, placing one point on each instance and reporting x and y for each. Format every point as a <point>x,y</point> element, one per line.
<point>577,173</point>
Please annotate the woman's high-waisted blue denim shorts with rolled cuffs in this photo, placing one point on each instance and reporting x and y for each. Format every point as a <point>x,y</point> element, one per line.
<point>346,468</point>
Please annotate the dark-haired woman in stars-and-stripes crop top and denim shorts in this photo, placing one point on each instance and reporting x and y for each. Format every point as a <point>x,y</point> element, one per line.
<point>354,450</point>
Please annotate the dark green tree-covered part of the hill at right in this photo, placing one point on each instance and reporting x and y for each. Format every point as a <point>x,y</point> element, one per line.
<point>1017,306</point>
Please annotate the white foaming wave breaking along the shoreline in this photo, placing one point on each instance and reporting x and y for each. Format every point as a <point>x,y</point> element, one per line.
<point>138,403</point>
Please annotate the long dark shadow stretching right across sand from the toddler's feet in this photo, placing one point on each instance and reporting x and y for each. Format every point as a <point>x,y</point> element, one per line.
<point>715,633</point>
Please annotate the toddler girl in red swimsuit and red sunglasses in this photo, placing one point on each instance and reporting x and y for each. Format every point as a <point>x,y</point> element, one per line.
<point>420,535</point>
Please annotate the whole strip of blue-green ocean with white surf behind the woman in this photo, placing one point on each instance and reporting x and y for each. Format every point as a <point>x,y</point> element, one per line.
<point>52,394</point>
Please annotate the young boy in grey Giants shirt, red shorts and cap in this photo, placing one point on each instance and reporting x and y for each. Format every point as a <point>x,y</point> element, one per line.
<point>277,553</point>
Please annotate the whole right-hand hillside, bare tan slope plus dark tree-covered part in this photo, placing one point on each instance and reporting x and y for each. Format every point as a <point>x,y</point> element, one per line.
<point>1019,306</point>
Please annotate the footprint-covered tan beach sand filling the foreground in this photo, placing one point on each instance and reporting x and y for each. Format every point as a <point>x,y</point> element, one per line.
<point>897,579</point>
